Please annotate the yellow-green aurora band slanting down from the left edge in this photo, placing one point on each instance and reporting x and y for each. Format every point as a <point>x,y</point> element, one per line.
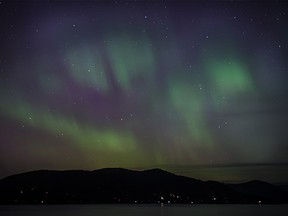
<point>87,136</point>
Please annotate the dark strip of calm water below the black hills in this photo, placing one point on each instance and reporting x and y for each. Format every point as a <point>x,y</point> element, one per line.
<point>144,210</point>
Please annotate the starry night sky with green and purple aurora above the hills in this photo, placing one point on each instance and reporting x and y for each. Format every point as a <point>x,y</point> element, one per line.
<point>87,85</point>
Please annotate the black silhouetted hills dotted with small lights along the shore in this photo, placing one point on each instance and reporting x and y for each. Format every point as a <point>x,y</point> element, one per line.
<point>116,185</point>
